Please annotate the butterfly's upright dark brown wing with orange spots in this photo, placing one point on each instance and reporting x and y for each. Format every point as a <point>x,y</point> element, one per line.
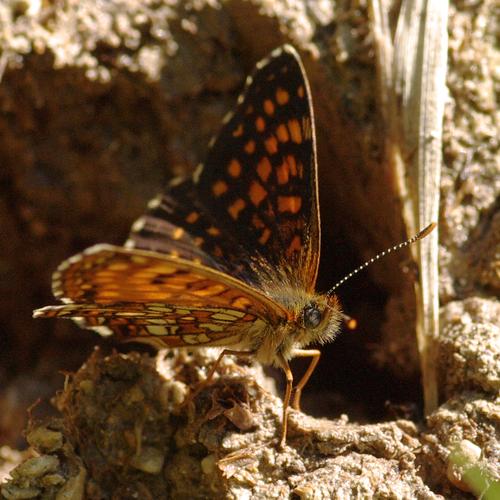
<point>253,206</point>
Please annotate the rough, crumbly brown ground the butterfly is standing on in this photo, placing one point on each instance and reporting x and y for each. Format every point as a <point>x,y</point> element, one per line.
<point>125,416</point>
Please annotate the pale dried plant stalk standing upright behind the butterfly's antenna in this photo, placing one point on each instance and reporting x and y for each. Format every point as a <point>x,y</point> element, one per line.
<point>412,71</point>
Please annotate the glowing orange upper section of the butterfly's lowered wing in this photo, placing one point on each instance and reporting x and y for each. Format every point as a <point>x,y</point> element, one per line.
<point>106,274</point>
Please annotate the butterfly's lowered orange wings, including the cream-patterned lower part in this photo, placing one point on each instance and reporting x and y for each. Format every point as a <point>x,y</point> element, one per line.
<point>139,294</point>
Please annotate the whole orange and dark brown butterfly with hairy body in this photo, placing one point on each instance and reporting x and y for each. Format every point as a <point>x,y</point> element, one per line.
<point>228,256</point>
